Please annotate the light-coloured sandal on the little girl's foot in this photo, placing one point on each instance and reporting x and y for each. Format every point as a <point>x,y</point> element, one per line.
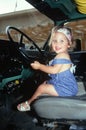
<point>24,106</point>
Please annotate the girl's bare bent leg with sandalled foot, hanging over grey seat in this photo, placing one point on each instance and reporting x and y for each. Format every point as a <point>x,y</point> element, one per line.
<point>42,89</point>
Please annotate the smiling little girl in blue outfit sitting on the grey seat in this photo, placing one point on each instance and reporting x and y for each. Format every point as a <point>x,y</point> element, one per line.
<point>62,82</point>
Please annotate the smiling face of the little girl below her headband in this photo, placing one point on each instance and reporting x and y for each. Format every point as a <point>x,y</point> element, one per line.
<point>59,43</point>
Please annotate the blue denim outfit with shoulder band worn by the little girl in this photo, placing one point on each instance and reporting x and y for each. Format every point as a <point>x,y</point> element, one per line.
<point>63,82</point>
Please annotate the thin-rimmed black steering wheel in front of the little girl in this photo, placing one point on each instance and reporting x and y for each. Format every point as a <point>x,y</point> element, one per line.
<point>21,38</point>
